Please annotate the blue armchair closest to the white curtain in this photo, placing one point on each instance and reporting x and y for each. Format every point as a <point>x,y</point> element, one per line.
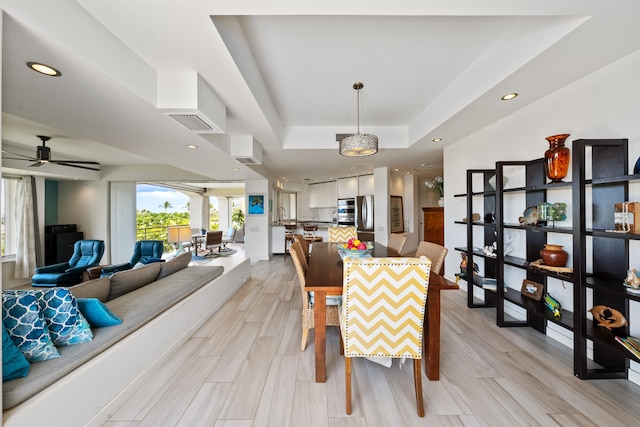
<point>86,253</point>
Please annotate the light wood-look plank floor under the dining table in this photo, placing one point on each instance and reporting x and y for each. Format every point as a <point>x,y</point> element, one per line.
<point>244,368</point>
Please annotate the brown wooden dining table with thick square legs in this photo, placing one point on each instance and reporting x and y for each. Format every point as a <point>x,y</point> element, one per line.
<point>324,277</point>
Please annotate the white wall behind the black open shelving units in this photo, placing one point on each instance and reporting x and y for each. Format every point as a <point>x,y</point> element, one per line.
<point>602,105</point>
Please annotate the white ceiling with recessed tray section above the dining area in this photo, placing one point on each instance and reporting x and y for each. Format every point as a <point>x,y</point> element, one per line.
<point>285,70</point>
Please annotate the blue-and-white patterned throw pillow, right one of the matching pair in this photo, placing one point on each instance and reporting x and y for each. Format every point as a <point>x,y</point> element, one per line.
<point>66,324</point>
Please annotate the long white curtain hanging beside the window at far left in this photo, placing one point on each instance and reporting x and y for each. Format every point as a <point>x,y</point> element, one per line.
<point>26,261</point>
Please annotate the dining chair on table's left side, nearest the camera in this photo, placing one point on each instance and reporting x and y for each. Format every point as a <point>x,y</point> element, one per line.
<point>332,318</point>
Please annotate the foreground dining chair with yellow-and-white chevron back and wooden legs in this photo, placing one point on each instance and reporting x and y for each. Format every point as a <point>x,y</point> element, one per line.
<point>382,317</point>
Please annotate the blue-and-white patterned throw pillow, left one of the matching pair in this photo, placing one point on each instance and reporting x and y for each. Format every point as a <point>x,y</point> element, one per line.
<point>22,317</point>
